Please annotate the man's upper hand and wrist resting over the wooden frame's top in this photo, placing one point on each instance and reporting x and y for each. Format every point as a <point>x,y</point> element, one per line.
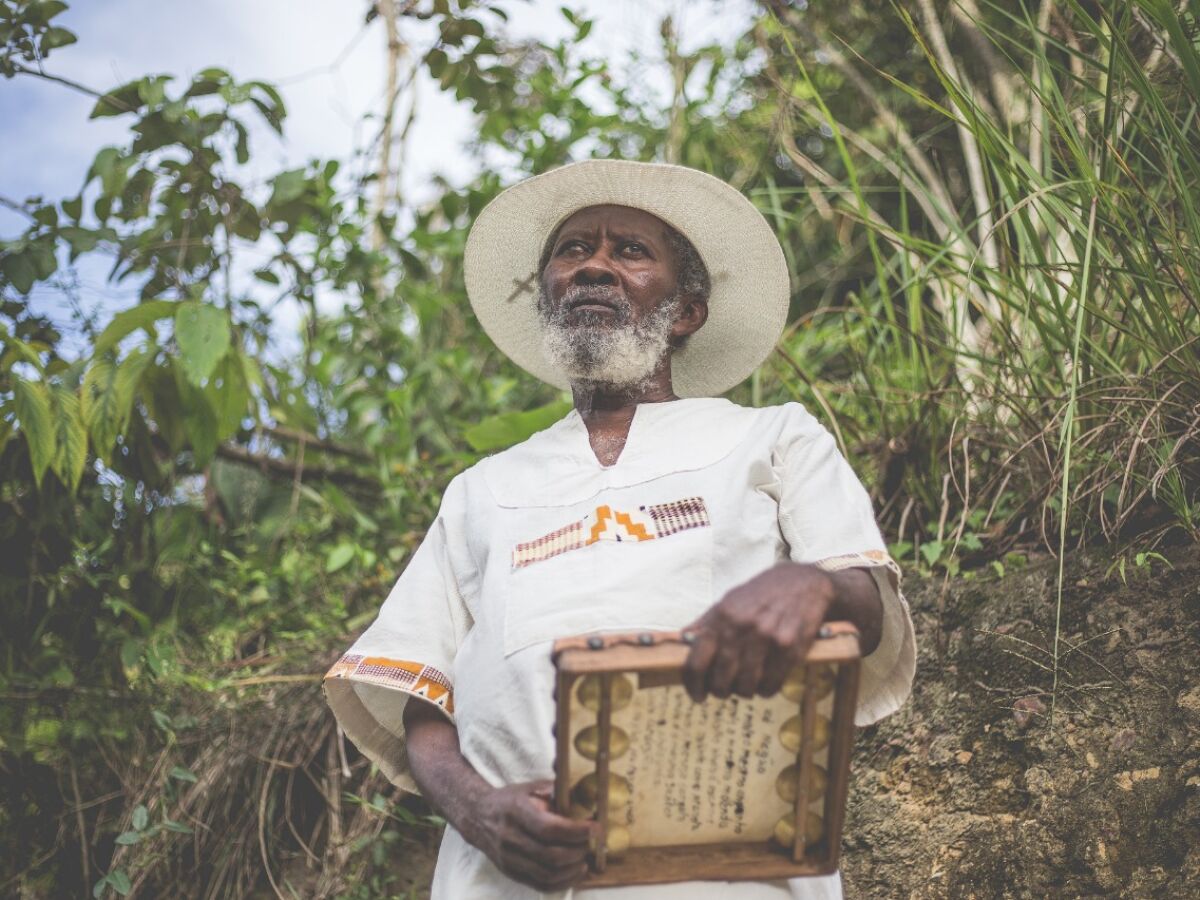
<point>758,633</point>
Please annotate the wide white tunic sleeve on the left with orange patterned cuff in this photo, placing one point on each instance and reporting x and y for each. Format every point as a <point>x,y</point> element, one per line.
<point>407,652</point>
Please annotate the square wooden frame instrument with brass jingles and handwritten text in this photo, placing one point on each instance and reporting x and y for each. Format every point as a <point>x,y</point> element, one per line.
<point>709,791</point>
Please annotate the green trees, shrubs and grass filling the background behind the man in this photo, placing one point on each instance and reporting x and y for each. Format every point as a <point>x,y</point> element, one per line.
<point>992,213</point>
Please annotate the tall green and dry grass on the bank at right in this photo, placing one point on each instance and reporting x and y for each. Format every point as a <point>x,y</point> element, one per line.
<point>1033,333</point>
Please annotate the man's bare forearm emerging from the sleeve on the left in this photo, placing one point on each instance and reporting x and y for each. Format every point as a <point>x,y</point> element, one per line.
<point>448,782</point>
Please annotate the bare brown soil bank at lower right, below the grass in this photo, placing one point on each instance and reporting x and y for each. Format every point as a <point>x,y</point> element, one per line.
<point>969,791</point>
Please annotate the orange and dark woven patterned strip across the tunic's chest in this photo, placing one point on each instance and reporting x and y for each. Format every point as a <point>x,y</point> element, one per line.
<point>605,524</point>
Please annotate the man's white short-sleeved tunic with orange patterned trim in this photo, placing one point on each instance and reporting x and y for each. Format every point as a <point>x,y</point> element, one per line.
<point>542,542</point>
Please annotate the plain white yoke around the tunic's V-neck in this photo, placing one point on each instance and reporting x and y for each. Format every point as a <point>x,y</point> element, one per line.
<point>557,467</point>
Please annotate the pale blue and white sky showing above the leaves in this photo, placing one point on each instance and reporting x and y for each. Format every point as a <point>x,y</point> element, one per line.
<point>328,64</point>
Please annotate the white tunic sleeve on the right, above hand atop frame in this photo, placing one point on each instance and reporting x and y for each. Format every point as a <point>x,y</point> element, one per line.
<point>826,518</point>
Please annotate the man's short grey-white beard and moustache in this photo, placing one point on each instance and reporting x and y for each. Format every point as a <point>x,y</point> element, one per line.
<point>615,352</point>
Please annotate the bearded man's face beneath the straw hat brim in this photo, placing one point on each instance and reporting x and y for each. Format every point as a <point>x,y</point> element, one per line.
<point>609,305</point>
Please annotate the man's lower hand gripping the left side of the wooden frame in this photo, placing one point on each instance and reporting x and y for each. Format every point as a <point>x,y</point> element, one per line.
<point>527,841</point>
